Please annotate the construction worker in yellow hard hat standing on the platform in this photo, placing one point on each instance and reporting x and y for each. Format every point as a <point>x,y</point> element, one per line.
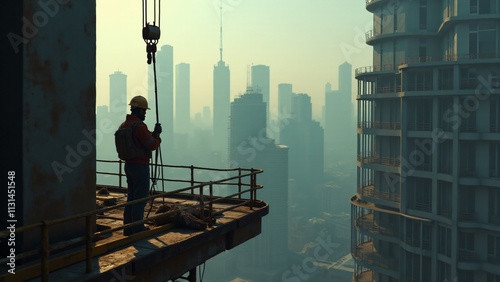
<point>137,168</point>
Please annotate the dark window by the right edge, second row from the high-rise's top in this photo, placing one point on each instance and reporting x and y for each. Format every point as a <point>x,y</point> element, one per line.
<point>482,40</point>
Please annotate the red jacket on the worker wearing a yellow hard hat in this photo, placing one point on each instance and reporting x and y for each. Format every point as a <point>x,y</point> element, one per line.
<point>142,138</point>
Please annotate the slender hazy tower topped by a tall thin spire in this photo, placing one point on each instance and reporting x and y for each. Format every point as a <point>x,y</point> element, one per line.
<point>221,102</point>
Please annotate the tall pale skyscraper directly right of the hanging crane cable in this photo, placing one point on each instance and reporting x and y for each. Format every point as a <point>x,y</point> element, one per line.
<point>165,78</point>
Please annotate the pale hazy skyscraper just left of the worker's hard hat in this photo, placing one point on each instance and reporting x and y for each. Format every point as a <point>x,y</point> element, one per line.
<point>118,104</point>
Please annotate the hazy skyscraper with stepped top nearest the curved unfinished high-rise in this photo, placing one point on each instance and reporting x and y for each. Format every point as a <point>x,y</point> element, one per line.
<point>340,130</point>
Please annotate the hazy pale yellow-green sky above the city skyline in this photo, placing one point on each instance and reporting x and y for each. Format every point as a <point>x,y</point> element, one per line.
<point>302,41</point>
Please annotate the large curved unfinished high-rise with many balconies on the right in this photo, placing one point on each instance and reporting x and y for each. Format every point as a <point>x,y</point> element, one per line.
<point>427,206</point>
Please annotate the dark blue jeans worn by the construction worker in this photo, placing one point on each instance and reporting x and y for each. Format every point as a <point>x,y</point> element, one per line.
<point>138,187</point>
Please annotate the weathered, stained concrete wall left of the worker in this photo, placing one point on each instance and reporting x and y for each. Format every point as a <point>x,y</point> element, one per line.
<point>59,69</point>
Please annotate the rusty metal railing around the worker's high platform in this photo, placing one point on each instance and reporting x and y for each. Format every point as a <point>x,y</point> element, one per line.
<point>205,199</point>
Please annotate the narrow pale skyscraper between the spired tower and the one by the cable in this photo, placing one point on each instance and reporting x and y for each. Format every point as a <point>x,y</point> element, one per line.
<point>182,99</point>
